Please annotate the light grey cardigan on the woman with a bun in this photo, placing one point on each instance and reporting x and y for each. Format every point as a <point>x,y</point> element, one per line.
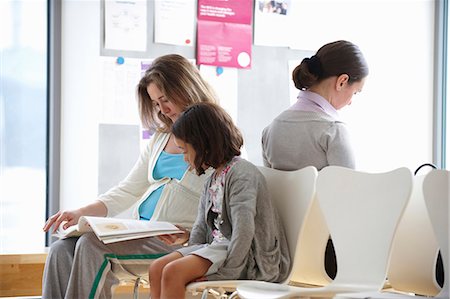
<point>296,139</point>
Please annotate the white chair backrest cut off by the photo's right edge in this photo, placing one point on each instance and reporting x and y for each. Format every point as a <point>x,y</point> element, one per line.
<point>436,194</point>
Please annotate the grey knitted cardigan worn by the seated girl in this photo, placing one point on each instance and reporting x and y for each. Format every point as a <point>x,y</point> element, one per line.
<point>258,247</point>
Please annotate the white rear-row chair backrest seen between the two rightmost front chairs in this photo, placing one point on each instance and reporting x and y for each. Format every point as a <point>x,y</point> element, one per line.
<point>412,266</point>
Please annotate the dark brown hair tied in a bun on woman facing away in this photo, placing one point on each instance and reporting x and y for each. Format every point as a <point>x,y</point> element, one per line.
<point>333,59</point>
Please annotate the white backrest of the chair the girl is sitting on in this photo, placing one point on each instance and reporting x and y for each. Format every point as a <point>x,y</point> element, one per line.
<point>292,193</point>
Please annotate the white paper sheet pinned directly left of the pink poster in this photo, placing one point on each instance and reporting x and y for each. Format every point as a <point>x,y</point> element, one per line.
<point>175,22</point>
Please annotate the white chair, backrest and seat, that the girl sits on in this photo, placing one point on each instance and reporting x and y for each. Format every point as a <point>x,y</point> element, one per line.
<point>292,193</point>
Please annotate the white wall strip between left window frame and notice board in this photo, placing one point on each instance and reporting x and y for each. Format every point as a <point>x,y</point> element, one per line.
<point>79,102</point>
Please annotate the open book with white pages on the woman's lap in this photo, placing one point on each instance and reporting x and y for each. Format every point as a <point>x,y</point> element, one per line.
<point>110,230</point>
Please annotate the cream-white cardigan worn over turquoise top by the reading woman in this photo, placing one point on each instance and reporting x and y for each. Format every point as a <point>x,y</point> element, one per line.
<point>179,200</point>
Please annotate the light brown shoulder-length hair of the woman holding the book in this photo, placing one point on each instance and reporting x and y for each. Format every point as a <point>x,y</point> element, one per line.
<point>180,82</point>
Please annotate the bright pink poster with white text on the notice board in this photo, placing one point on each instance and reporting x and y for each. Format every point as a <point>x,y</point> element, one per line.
<point>224,36</point>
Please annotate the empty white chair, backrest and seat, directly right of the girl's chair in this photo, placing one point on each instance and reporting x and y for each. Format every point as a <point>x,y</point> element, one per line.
<point>362,211</point>
